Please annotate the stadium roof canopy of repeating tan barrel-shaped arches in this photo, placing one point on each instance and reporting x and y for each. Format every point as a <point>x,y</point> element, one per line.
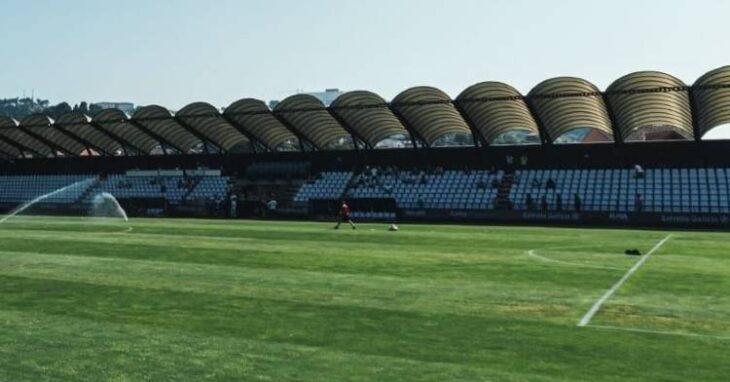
<point>640,106</point>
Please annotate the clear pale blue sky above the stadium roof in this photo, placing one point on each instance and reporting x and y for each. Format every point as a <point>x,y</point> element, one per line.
<point>175,52</point>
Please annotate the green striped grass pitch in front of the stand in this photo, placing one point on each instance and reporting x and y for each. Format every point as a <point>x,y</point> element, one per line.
<point>195,300</point>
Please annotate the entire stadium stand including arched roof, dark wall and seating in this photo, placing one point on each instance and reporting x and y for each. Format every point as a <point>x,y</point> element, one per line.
<point>566,151</point>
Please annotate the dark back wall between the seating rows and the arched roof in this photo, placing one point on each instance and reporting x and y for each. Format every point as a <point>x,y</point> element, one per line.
<point>648,154</point>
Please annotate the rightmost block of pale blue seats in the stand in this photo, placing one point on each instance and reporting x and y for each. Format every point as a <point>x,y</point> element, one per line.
<point>686,190</point>
